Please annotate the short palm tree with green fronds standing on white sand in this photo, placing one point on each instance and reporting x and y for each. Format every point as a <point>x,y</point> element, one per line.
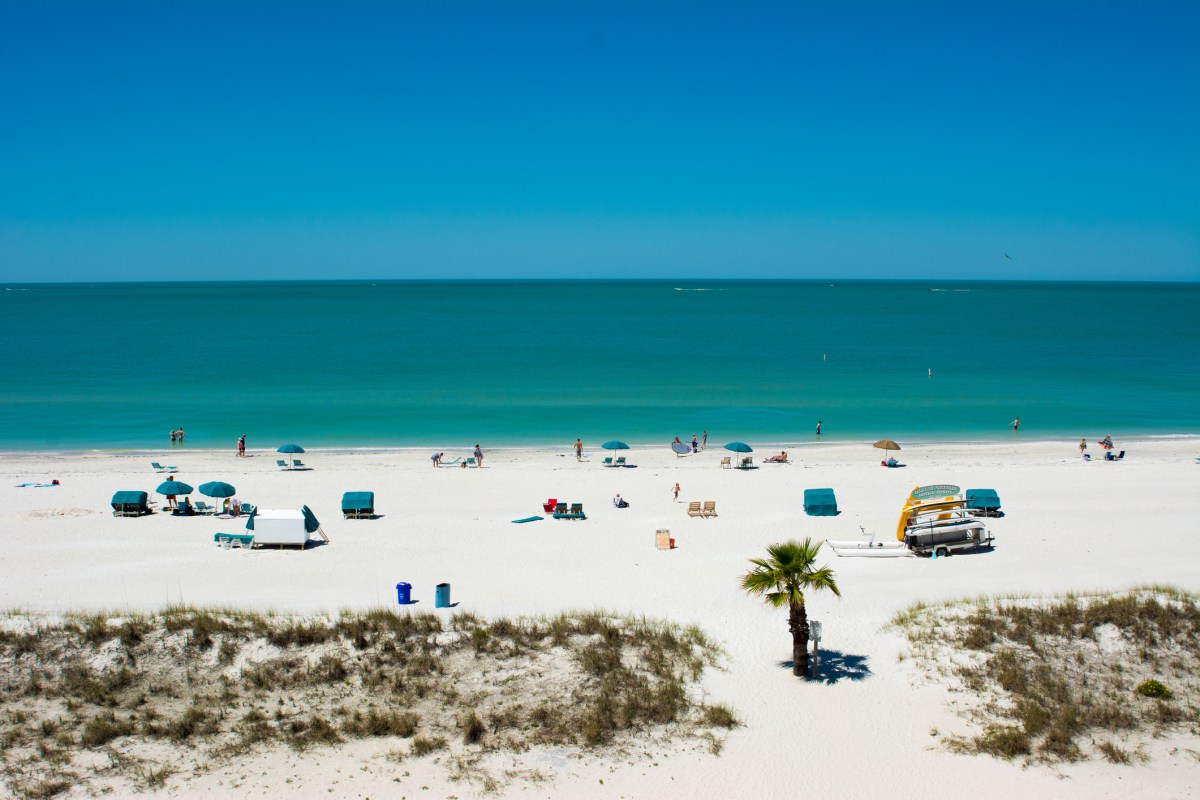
<point>782,580</point>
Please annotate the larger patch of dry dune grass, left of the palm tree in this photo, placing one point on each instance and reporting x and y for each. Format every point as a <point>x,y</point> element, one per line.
<point>209,683</point>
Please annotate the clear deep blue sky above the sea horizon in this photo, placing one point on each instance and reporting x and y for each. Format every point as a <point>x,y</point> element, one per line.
<point>154,140</point>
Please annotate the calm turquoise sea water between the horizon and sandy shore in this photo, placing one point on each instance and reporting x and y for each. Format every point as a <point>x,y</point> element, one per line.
<point>399,364</point>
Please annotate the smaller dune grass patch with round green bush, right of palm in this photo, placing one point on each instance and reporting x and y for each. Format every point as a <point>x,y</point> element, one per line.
<point>1069,678</point>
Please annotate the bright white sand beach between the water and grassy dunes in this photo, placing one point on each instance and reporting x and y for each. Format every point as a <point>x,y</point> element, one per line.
<point>865,732</point>
